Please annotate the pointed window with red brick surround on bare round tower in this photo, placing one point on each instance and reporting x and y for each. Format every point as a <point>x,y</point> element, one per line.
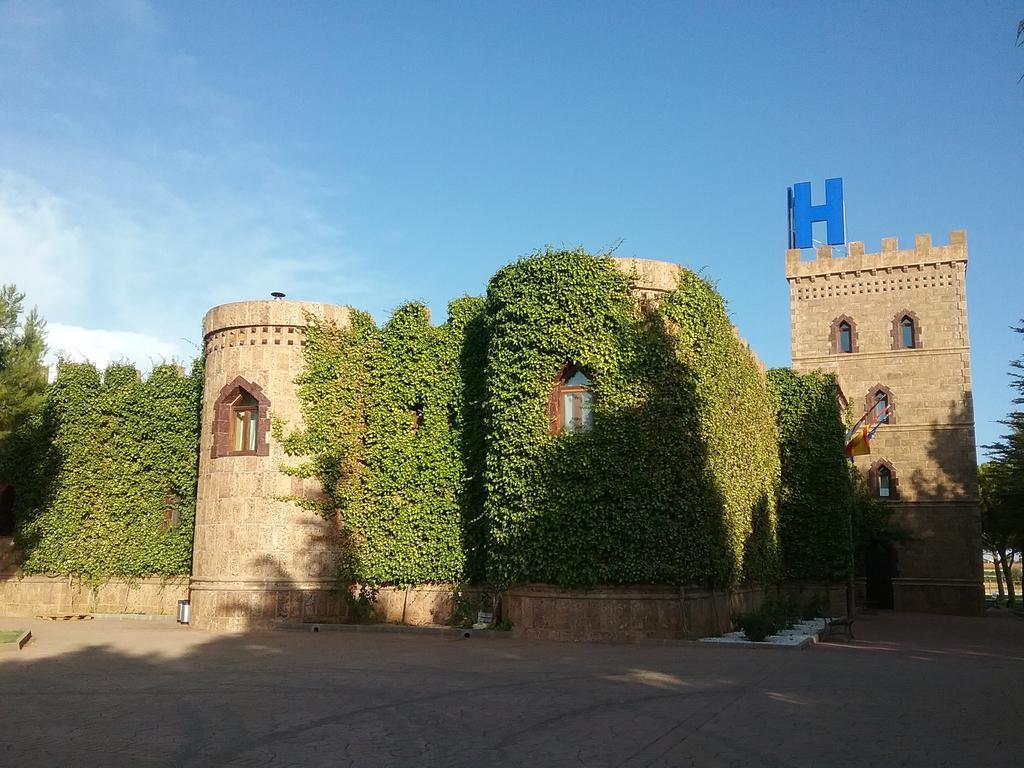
<point>241,420</point>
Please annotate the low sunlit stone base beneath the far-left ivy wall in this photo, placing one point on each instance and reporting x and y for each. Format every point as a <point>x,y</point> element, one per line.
<point>40,595</point>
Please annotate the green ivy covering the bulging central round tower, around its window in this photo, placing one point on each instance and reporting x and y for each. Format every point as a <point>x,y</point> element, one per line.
<point>676,483</point>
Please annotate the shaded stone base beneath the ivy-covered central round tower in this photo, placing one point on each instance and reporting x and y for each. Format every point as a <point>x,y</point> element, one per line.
<point>629,615</point>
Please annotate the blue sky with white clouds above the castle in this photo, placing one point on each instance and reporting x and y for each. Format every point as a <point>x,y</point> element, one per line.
<point>159,159</point>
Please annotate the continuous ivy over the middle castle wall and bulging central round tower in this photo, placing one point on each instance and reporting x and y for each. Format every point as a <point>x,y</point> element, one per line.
<point>442,466</point>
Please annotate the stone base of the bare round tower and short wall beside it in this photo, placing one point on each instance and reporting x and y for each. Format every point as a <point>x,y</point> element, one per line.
<point>239,606</point>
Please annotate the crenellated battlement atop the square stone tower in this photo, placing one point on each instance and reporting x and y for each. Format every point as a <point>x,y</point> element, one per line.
<point>924,253</point>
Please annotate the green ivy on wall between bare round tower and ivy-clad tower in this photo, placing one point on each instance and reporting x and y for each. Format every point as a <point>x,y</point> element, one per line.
<point>393,459</point>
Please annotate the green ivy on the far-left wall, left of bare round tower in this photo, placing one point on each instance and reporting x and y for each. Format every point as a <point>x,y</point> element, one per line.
<point>94,468</point>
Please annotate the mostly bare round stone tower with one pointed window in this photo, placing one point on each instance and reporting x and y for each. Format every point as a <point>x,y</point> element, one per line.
<point>258,560</point>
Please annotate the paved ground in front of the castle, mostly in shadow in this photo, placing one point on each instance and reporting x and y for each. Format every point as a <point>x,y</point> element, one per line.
<point>912,692</point>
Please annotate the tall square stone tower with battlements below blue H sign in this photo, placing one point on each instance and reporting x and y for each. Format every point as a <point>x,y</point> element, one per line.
<point>892,326</point>
